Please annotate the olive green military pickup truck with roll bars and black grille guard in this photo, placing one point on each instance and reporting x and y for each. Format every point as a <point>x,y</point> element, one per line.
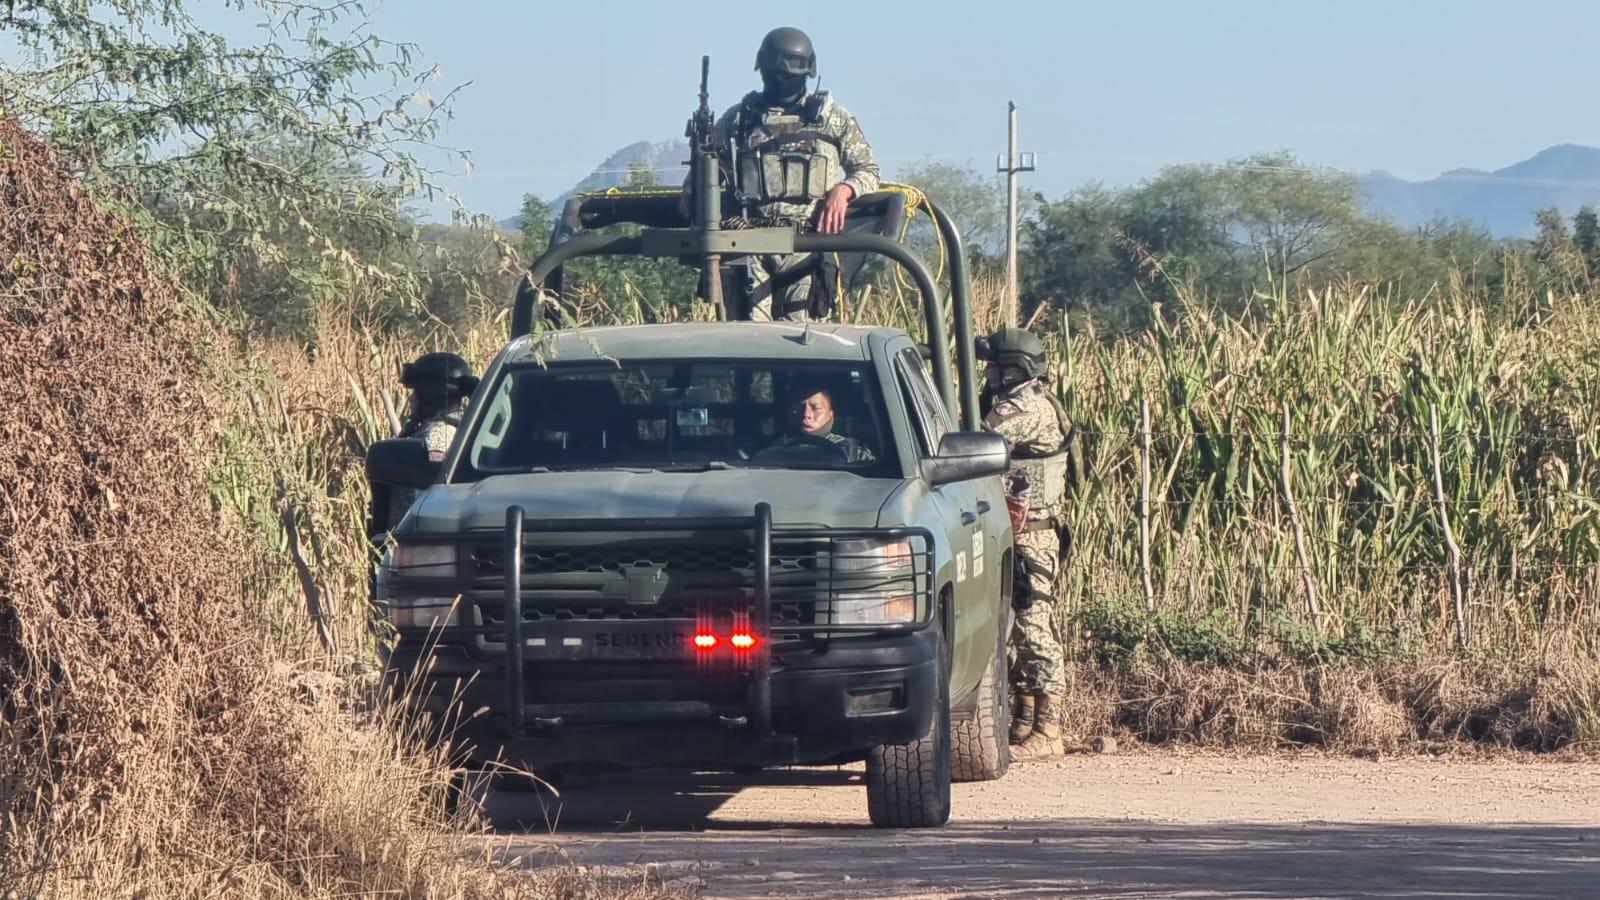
<point>716,545</point>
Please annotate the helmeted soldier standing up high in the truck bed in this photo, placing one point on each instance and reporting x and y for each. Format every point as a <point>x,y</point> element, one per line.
<point>794,158</point>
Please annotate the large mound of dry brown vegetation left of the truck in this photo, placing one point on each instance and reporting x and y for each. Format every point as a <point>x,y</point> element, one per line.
<point>154,741</point>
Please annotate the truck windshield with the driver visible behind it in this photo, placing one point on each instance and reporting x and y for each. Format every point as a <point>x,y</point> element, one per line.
<point>679,417</point>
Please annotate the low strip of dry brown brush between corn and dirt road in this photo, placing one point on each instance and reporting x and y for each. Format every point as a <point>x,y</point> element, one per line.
<point>1343,707</point>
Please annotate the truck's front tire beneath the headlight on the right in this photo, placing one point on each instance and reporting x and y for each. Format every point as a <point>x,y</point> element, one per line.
<point>910,784</point>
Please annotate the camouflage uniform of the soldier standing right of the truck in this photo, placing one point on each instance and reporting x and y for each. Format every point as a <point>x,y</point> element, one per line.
<point>1033,424</point>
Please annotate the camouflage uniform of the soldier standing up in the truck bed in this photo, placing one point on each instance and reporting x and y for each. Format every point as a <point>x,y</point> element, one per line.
<point>818,129</point>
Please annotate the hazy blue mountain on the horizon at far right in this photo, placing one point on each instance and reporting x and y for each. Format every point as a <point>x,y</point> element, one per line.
<point>1502,201</point>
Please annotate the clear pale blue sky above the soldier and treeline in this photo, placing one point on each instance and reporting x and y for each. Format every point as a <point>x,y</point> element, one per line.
<point>1108,90</point>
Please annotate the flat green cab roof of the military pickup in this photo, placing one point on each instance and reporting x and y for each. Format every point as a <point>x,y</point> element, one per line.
<point>716,340</point>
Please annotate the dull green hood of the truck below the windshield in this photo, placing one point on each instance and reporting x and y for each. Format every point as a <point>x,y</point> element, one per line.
<point>798,497</point>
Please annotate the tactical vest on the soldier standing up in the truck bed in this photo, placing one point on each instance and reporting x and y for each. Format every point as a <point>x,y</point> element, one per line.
<point>785,158</point>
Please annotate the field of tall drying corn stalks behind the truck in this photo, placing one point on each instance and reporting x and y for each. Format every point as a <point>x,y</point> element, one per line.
<point>1330,478</point>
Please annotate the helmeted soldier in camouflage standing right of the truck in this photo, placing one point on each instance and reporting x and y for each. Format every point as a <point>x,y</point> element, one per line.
<point>1033,422</point>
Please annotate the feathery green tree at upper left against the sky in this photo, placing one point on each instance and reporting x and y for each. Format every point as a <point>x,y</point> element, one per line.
<point>282,166</point>
